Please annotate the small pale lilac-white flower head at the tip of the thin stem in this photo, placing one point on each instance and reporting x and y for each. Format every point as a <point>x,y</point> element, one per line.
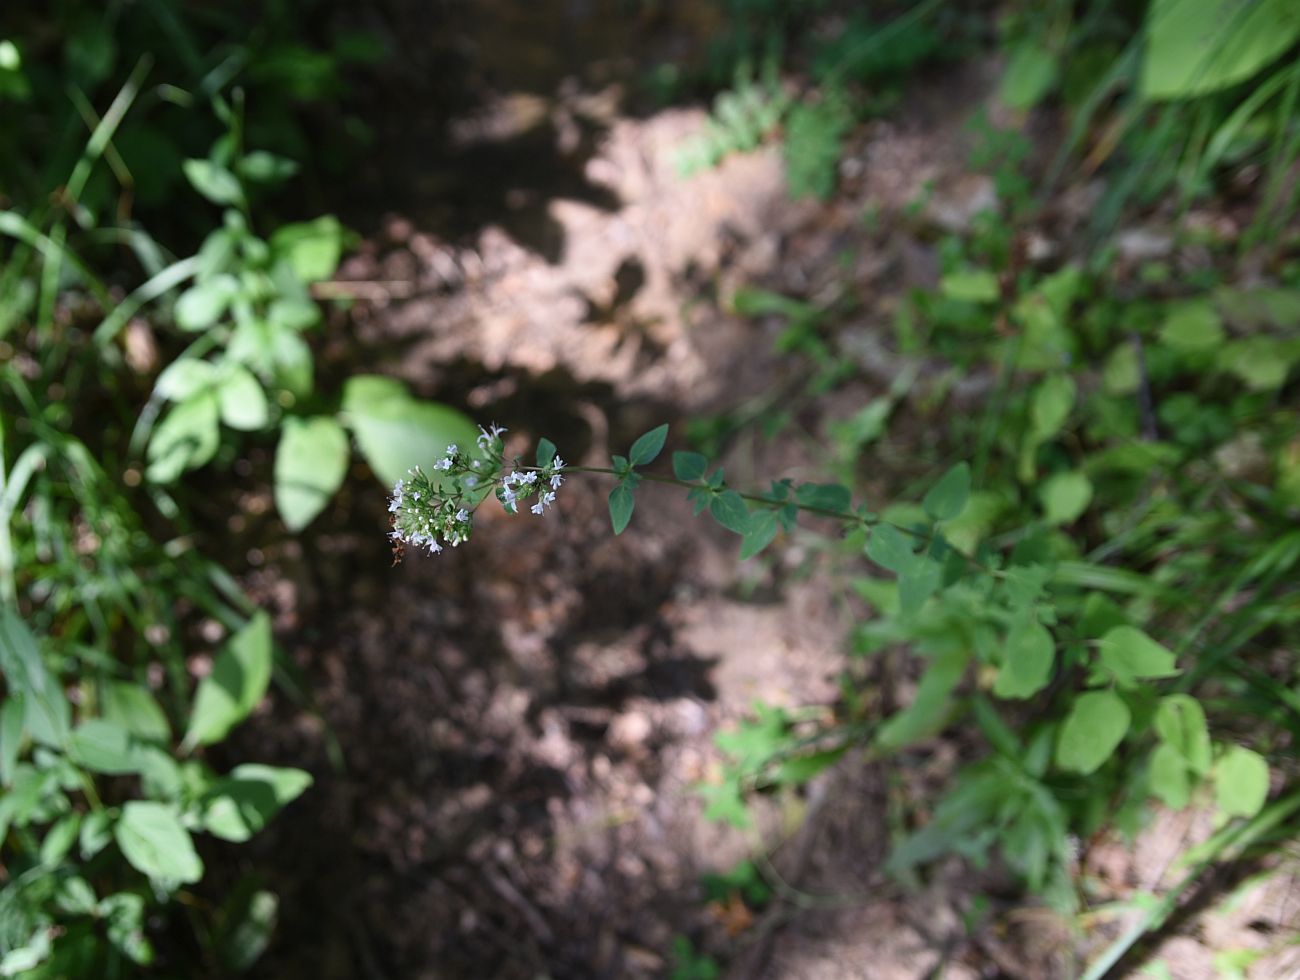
<point>435,510</point>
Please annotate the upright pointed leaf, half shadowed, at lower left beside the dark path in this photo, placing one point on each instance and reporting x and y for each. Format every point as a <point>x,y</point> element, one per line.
<point>239,682</point>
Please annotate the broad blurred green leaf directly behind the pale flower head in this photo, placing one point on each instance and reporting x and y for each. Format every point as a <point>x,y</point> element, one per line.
<point>397,432</point>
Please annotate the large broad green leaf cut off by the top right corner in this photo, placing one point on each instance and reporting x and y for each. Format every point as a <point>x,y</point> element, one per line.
<point>1202,46</point>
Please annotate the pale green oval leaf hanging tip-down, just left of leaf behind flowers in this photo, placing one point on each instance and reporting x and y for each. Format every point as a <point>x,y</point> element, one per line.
<point>311,463</point>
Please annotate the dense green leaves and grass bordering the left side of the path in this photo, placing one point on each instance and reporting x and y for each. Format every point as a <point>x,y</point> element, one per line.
<point>158,324</point>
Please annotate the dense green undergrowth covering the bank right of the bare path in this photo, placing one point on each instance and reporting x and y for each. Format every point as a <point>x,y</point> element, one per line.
<point>1089,569</point>
